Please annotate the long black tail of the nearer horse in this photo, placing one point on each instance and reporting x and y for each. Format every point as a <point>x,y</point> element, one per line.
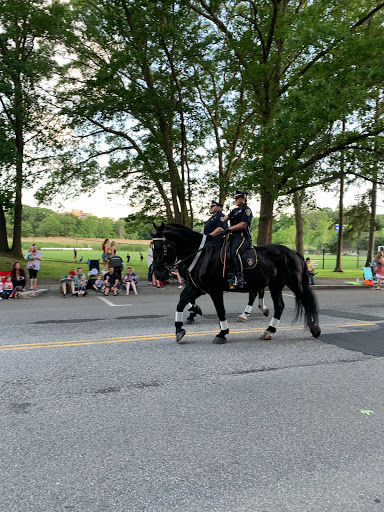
<point>305,298</point>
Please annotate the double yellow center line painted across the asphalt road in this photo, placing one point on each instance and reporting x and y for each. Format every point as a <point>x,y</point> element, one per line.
<point>143,337</point>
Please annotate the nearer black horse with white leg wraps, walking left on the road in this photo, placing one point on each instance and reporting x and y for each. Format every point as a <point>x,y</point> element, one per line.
<point>200,264</point>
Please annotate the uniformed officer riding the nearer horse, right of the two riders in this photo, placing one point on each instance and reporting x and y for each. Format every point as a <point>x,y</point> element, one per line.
<point>240,235</point>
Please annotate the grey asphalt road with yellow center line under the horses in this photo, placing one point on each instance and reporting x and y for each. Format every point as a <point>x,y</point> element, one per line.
<point>102,411</point>
